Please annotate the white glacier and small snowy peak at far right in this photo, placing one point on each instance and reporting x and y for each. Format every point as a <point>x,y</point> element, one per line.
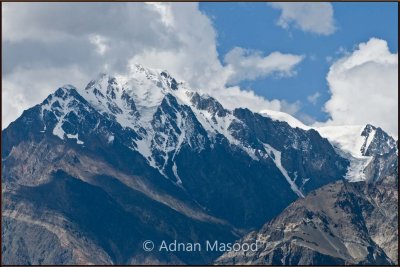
<point>362,145</point>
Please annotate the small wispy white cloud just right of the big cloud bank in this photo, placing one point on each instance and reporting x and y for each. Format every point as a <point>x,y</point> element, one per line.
<point>248,65</point>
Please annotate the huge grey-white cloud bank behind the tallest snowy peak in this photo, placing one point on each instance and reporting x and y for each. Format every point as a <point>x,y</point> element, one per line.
<point>46,45</point>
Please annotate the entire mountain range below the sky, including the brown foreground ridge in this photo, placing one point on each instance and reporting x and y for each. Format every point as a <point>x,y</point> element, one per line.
<point>91,173</point>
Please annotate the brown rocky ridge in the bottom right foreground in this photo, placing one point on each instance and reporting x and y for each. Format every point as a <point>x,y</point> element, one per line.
<point>340,223</point>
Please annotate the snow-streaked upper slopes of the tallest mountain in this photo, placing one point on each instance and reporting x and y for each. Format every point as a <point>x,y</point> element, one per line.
<point>164,115</point>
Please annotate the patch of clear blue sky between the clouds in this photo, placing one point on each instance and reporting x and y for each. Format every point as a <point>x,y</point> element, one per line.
<point>253,26</point>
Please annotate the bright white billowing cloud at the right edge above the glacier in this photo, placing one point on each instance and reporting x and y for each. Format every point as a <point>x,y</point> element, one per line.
<point>364,87</point>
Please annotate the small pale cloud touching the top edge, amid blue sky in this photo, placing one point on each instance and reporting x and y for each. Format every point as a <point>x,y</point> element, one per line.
<point>309,17</point>
